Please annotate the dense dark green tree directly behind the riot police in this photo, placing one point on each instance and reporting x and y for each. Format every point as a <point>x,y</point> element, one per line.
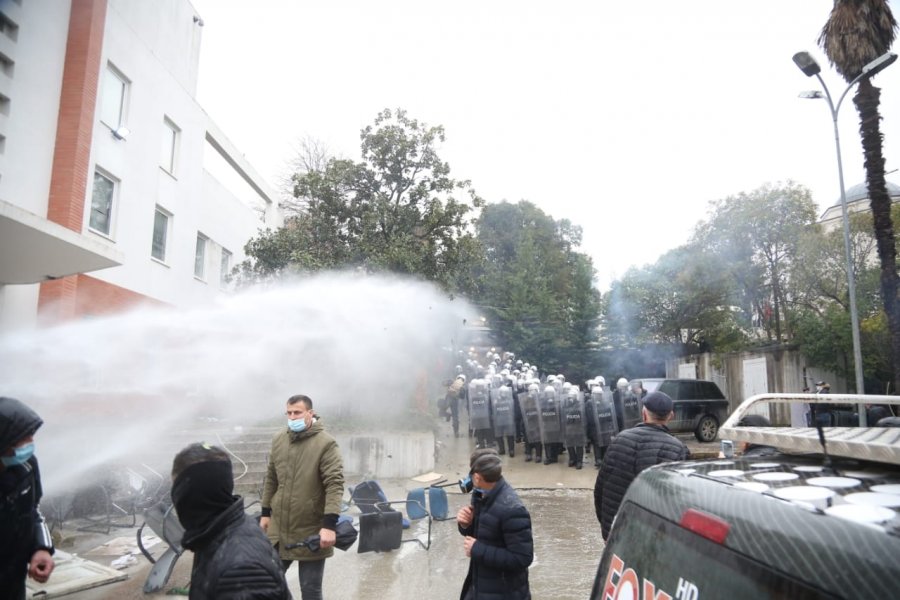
<point>535,288</point>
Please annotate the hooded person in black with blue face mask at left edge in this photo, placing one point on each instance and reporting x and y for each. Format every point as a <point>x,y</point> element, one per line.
<point>25,545</point>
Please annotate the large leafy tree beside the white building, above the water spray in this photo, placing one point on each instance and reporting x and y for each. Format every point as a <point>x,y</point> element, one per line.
<point>396,210</point>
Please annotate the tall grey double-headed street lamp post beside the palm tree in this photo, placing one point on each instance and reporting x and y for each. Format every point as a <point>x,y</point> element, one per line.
<point>810,67</point>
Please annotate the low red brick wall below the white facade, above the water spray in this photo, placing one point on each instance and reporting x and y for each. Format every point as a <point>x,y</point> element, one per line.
<point>81,295</point>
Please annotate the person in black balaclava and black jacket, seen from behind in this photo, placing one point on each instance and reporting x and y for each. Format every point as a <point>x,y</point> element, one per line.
<point>233,558</point>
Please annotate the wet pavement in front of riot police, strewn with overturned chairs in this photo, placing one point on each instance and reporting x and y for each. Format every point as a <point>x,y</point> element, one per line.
<point>559,498</point>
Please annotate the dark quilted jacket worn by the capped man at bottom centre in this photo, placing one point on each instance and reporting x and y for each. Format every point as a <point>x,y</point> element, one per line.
<point>504,548</point>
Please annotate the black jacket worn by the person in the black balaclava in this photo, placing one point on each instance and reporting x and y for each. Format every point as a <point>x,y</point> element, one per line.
<point>234,560</point>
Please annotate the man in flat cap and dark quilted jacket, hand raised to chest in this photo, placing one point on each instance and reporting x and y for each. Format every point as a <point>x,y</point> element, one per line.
<point>497,530</point>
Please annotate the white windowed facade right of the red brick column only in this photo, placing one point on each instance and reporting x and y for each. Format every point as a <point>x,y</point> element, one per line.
<point>195,201</point>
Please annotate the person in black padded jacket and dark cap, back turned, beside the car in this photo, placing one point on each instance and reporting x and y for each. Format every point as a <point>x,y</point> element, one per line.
<point>633,450</point>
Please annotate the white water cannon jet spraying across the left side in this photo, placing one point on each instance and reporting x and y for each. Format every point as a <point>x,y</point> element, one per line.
<point>363,348</point>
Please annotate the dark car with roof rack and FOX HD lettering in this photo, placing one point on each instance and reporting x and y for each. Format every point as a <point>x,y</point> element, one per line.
<point>794,523</point>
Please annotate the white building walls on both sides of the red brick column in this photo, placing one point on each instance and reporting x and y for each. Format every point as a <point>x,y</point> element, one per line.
<point>155,44</point>
